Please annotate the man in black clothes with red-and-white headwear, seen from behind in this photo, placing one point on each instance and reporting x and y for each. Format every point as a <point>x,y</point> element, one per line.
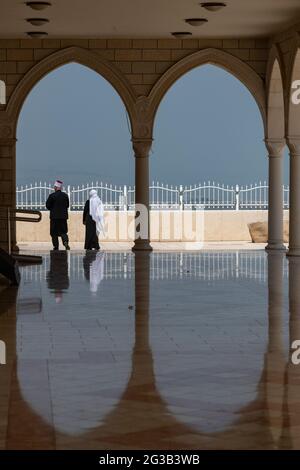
<point>58,204</point>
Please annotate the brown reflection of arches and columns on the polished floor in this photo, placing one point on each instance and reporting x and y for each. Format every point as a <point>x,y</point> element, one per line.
<point>142,405</point>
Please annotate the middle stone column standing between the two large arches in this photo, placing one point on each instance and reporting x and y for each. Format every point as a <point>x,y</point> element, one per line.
<point>141,149</point>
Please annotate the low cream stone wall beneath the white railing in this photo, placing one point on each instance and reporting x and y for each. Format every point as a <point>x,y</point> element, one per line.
<point>165,226</point>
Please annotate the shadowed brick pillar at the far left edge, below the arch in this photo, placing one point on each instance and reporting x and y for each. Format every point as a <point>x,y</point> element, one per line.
<point>8,180</point>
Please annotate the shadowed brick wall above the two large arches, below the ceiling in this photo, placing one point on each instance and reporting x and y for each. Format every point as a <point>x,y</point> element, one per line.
<point>142,61</point>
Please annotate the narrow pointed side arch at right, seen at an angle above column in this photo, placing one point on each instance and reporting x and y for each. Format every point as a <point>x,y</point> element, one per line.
<point>275,82</point>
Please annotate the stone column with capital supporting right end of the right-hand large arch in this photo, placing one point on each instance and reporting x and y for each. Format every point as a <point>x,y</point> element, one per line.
<point>275,214</point>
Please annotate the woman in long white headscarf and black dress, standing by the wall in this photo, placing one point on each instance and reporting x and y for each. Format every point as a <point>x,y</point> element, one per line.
<point>93,219</point>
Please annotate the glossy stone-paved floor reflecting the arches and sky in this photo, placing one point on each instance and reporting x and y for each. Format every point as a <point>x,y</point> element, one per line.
<point>187,350</point>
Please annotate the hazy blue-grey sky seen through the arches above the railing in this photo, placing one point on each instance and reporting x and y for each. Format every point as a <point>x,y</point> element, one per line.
<point>73,126</point>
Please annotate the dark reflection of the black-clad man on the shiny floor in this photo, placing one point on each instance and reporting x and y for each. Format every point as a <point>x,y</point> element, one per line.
<point>58,274</point>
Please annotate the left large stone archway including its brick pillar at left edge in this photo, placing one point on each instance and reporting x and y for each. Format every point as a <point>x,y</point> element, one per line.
<point>9,116</point>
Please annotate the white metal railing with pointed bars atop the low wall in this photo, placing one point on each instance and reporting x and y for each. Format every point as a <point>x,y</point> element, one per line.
<point>209,196</point>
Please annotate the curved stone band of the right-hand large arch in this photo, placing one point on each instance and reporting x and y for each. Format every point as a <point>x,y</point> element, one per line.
<point>228,62</point>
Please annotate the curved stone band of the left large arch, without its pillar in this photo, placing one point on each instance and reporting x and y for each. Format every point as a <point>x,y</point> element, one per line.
<point>63,57</point>
